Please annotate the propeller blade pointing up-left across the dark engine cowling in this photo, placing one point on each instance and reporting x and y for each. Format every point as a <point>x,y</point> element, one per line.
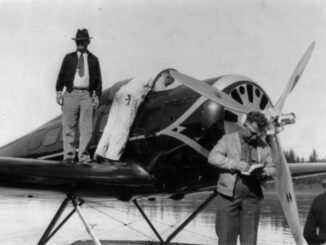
<point>210,92</point>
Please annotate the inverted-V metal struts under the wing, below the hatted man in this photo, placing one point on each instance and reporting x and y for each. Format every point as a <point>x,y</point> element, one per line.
<point>77,203</point>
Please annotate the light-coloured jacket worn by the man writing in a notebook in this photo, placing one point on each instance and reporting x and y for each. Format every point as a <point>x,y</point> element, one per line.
<point>226,155</point>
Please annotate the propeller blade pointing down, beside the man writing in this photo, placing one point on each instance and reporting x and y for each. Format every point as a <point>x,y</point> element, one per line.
<point>285,190</point>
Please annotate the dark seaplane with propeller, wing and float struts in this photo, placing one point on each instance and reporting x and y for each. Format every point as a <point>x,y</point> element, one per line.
<point>166,154</point>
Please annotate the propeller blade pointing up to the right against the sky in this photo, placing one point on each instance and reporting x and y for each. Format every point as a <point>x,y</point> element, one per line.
<point>293,79</point>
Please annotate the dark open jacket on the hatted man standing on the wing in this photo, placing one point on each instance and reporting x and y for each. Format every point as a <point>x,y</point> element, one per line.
<point>68,71</point>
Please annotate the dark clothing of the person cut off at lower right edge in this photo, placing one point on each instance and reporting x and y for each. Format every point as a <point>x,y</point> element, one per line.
<point>315,227</point>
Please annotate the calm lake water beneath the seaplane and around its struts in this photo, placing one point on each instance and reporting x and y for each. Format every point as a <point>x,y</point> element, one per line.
<point>24,219</point>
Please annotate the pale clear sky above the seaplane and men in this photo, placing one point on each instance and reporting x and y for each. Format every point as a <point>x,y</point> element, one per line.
<point>261,39</point>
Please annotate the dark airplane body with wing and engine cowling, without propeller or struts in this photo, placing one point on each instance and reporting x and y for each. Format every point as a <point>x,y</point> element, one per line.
<point>166,153</point>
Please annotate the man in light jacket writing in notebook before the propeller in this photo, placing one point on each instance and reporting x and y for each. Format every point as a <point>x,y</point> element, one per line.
<point>240,193</point>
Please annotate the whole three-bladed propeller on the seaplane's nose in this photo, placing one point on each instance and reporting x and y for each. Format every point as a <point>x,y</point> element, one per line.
<point>283,178</point>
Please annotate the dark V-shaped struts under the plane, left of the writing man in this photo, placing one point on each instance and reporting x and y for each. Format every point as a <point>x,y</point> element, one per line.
<point>184,223</point>
